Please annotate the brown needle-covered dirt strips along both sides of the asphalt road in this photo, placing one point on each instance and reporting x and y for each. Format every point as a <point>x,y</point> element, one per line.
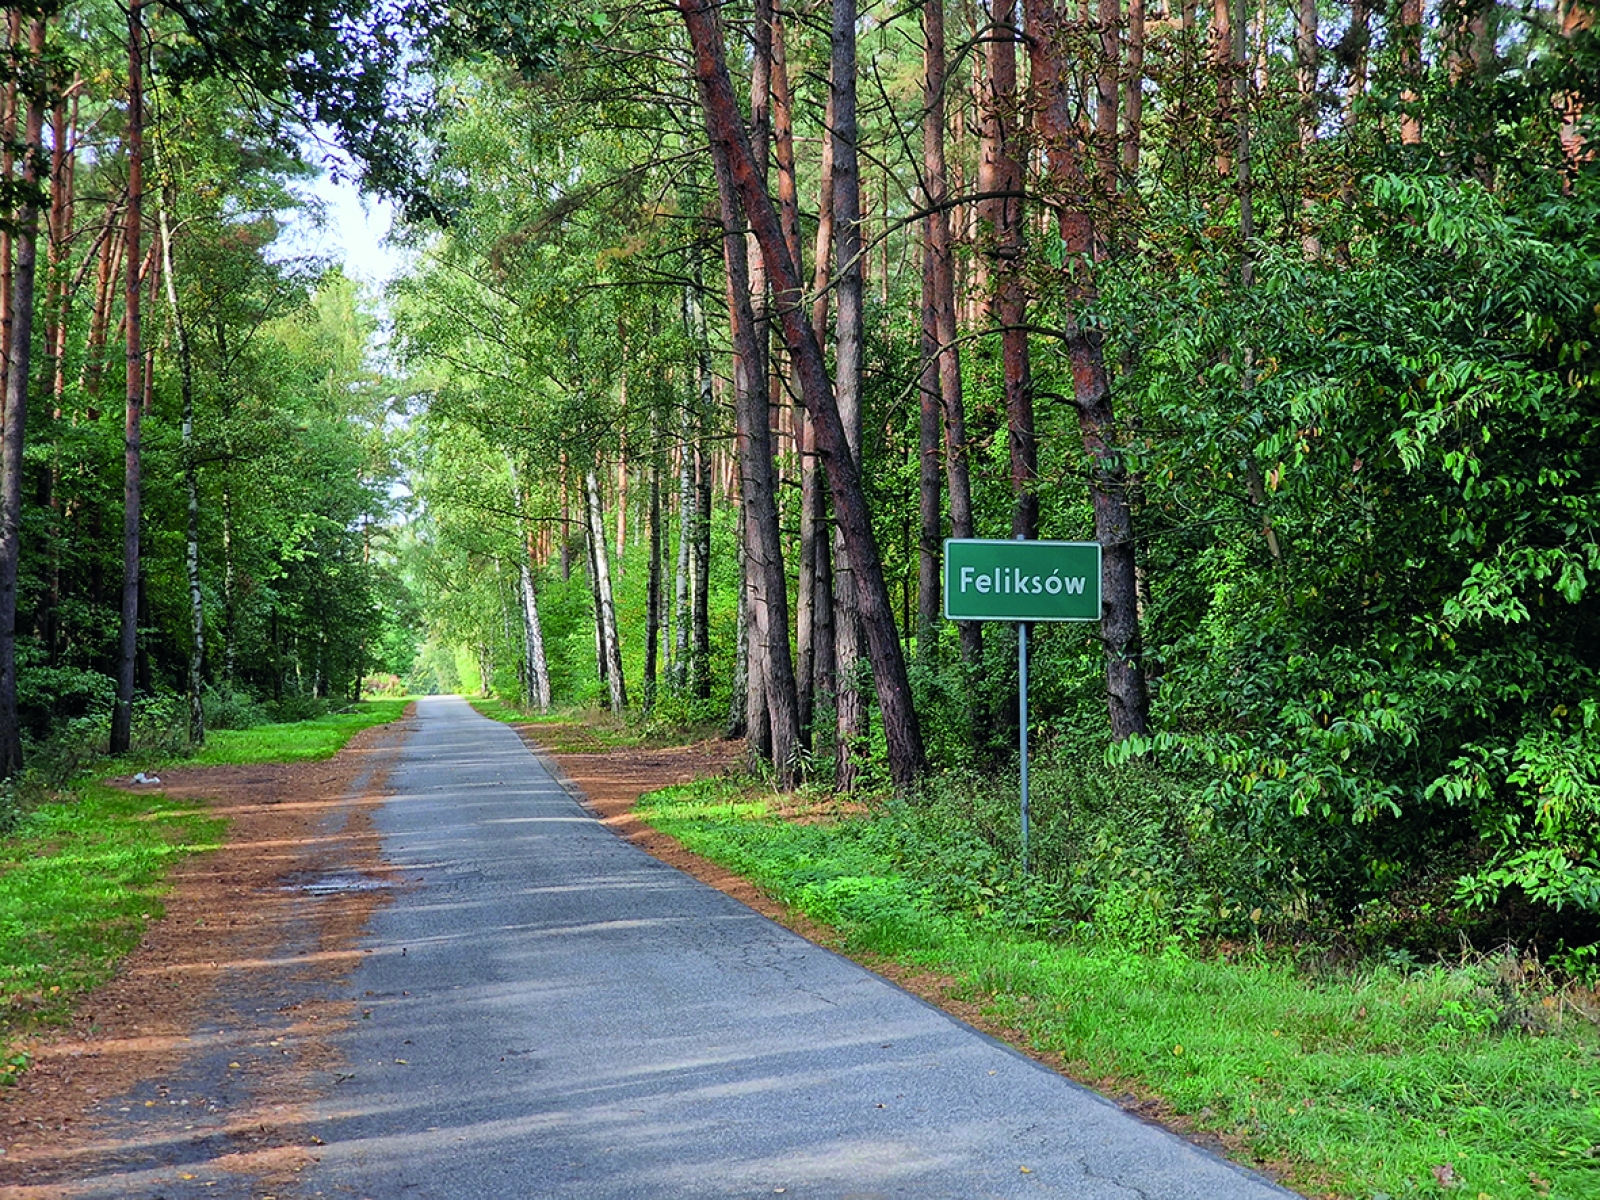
<point>204,1049</point>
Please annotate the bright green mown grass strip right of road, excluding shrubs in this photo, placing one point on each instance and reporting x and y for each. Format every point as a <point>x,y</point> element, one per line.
<point>1369,1082</point>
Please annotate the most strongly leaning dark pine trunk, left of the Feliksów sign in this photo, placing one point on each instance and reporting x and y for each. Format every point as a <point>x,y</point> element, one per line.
<point>727,142</point>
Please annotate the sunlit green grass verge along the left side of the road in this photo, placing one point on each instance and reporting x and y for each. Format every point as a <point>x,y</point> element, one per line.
<point>84,876</point>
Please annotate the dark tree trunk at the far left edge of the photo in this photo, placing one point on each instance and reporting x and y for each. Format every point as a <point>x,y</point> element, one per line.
<point>22,340</point>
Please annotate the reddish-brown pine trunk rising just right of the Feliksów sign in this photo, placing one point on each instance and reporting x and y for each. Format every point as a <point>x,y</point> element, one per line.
<point>1066,159</point>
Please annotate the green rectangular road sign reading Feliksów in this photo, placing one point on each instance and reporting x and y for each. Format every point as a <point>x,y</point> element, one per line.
<point>991,580</point>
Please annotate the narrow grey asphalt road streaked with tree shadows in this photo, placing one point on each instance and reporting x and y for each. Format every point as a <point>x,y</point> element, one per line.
<point>554,1014</point>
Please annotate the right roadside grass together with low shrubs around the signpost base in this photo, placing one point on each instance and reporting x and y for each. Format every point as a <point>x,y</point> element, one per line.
<point>1361,1074</point>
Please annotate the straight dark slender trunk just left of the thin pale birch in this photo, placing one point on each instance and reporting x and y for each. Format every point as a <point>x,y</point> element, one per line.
<point>122,714</point>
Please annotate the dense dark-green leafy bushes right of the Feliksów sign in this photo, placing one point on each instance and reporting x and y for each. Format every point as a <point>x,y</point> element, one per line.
<point>1418,670</point>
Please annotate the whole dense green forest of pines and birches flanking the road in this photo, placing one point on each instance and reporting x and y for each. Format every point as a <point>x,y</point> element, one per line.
<point>721,319</point>
